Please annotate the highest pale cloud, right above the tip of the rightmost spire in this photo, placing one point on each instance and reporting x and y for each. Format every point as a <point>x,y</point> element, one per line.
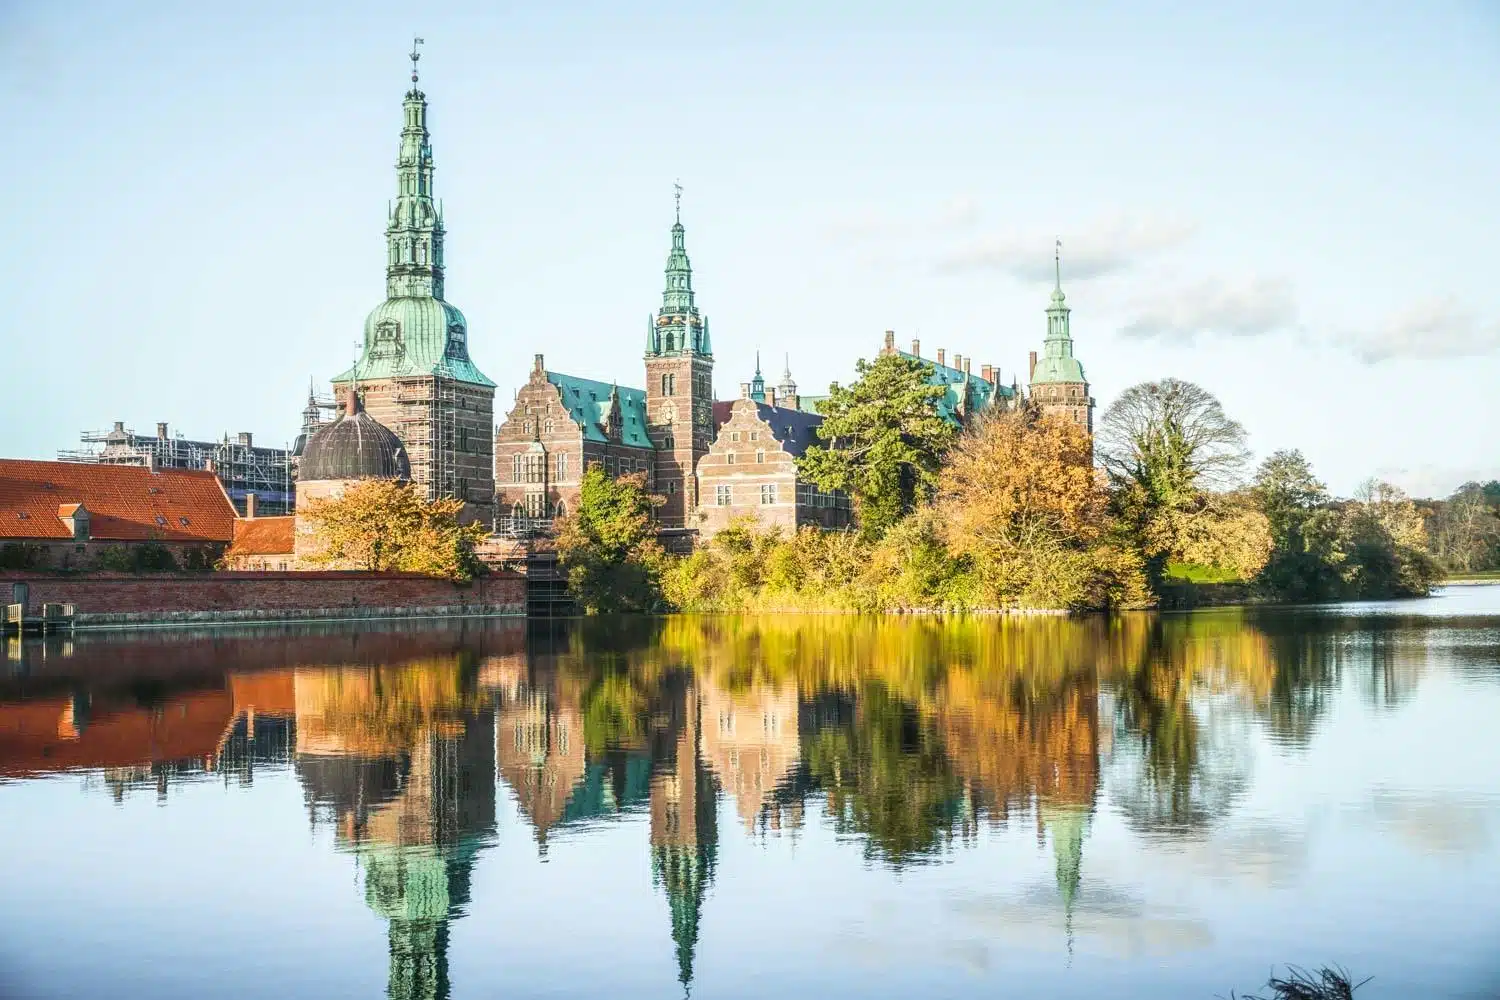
<point>1105,248</point>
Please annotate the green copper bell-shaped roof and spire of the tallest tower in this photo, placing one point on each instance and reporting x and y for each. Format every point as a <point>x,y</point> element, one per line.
<point>415,332</point>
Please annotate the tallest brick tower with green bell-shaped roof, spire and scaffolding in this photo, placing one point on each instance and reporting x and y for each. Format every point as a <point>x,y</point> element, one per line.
<point>415,371</point>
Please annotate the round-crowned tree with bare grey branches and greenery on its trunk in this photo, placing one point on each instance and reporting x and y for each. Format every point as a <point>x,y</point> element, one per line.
<point>1165,445</point>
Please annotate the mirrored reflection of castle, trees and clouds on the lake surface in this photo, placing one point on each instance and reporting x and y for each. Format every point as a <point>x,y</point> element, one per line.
<point>910,738</point>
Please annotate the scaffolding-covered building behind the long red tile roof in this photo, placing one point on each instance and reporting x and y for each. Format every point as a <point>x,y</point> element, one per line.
<point>241,466</point>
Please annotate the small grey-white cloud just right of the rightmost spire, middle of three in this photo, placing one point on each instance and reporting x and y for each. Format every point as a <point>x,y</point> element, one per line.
<point>1216,307</point>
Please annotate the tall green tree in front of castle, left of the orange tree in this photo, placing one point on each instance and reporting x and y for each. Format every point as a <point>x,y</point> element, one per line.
<point>883,442</point>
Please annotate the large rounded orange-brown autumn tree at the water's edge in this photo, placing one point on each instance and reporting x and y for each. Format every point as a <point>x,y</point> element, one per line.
<point>1022,501</point>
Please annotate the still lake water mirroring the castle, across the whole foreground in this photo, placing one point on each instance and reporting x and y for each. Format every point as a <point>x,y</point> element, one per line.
<point>1133,807</point>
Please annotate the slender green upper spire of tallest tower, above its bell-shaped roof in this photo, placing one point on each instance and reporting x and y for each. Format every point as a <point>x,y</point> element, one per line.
<point>415,230</point>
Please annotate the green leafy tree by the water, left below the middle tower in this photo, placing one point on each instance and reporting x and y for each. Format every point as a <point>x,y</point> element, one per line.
<point>608,546</point>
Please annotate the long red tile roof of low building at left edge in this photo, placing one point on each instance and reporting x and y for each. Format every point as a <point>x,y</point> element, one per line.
<point>124,501</point>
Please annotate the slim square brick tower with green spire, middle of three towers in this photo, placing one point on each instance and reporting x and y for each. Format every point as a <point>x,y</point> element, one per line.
<point>680,386</point>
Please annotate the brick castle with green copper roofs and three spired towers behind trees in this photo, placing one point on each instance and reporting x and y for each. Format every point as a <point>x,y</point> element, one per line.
<point>710,461</point>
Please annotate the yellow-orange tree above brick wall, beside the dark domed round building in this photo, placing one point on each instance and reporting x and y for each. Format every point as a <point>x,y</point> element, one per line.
<point>382,525</point>
